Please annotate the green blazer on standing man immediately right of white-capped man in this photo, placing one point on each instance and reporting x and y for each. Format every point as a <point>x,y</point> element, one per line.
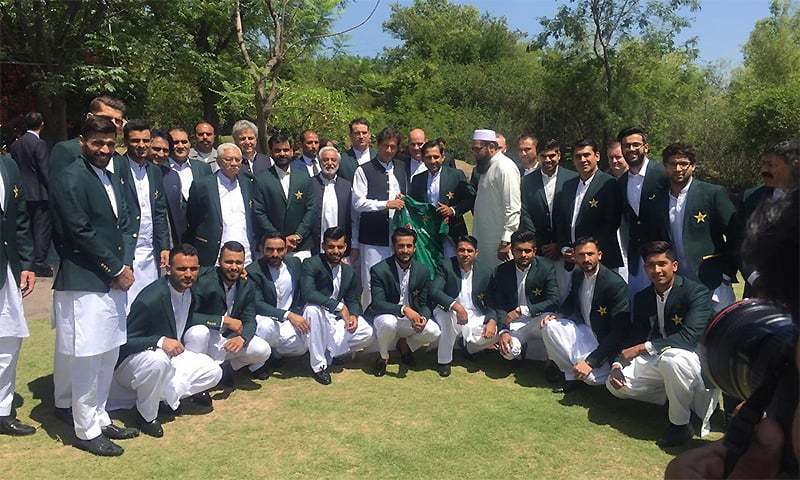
<point>536,215</point>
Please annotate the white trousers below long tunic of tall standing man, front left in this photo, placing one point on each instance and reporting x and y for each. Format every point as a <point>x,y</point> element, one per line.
<point>83,383</point>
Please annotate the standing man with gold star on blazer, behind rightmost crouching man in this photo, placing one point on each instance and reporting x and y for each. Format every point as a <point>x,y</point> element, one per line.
<point>698,219</point>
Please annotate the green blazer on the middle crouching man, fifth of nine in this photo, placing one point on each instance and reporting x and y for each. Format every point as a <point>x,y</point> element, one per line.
<point>385,289</point>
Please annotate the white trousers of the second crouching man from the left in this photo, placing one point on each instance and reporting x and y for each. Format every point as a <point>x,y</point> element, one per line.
<point>201,339</point>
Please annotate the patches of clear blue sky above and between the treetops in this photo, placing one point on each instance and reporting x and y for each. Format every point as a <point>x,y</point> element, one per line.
<point>722,26</point>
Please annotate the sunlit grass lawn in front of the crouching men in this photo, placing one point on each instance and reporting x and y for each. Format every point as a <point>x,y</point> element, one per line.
<point>486,420</point>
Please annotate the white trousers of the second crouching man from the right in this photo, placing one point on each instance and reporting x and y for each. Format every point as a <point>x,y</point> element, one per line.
<point>568,343</point>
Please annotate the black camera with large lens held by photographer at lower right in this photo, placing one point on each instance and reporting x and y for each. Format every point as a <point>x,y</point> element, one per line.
<point>749,353</point>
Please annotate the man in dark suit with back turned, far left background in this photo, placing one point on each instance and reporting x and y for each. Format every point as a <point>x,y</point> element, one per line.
<point>31,154</point>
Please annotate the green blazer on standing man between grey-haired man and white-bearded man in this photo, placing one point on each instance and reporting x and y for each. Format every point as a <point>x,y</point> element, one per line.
<point>275,213</point>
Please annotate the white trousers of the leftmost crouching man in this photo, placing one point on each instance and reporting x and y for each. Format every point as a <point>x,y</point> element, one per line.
<point>146,378</point>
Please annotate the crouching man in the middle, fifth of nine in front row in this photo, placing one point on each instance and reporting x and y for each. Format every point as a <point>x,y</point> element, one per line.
<point>399,307</point>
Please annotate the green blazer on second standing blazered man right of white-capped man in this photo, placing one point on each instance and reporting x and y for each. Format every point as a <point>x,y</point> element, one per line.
<point>599,216</point>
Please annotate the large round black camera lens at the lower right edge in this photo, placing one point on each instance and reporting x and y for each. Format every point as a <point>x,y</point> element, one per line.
<point>746,343</point>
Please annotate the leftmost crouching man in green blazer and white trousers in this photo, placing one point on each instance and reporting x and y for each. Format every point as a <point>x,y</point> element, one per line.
<point>154,365</point>
